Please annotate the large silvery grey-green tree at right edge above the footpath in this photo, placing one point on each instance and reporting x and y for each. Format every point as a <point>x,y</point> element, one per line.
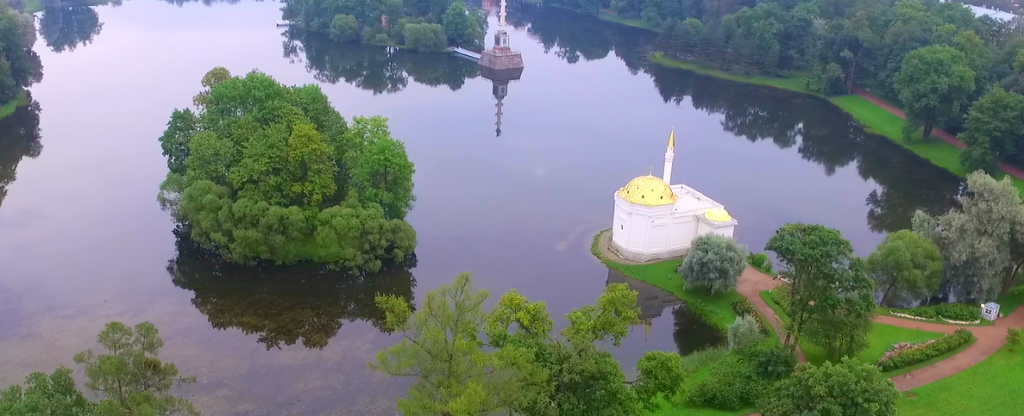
<point>983,244</point>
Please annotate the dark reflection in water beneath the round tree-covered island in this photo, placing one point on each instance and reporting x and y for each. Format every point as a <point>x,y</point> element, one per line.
<point>283,306</point>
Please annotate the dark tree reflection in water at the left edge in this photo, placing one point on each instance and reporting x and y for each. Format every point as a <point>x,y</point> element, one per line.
<point>19,139</point>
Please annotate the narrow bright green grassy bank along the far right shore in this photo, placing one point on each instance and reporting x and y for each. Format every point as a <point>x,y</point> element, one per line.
<point>874,119</point>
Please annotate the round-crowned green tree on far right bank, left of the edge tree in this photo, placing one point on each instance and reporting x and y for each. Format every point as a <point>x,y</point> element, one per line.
<point>933,84</point>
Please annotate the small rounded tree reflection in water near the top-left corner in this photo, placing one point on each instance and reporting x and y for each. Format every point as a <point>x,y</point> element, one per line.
<point>67,28</point>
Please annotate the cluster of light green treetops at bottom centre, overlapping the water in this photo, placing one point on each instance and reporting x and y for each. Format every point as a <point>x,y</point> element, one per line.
<point>520,366</point>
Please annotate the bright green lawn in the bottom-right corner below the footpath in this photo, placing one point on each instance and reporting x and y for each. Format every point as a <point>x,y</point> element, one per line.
<point>991,388</point>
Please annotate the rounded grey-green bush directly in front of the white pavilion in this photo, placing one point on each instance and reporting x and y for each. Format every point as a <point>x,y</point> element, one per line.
<point>713,263</point>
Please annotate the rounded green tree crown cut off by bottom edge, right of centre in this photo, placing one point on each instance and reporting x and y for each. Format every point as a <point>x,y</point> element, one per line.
<point>848,389</point>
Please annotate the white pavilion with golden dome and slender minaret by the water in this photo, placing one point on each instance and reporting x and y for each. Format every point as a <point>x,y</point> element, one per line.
<point>656,221</point>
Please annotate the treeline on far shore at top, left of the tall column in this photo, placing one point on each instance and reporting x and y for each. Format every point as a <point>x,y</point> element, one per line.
<point>420,25</point>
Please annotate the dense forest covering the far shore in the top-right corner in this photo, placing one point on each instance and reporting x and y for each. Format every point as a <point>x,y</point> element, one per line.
<point>946,67</point>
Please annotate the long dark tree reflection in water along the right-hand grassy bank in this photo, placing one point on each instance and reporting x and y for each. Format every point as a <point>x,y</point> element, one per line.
<point>824,135</point>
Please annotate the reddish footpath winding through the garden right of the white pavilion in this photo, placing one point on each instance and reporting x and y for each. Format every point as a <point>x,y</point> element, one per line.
<point>990,340</point>
